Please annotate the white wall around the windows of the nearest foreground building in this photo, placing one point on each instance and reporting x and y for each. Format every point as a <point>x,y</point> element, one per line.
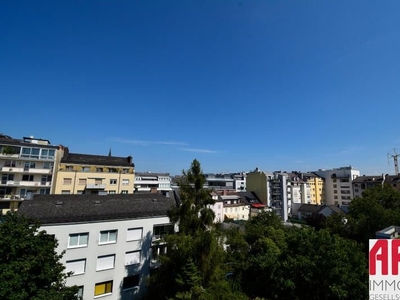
<point>93,250</point>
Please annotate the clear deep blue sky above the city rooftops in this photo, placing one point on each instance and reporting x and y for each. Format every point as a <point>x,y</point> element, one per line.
<point>279,85</point>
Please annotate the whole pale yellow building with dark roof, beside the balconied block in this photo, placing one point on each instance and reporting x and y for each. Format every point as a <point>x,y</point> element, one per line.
<point>94,174</point>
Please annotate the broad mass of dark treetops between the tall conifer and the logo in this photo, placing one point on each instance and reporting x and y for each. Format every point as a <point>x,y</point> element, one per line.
<point>297,263</point>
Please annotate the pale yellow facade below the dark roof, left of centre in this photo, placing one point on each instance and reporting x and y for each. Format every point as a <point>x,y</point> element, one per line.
<point>72,179</point>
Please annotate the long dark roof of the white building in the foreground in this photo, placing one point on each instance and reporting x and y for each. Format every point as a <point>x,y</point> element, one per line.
<point>49,209</point>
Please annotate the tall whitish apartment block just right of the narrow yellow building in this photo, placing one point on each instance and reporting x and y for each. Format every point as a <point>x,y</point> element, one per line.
<point>338,184</point>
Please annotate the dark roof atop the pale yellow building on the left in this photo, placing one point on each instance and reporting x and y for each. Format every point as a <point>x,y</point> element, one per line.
<point>99,160</point>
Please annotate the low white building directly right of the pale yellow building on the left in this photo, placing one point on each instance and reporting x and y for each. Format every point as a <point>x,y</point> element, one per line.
<point>147,181</point>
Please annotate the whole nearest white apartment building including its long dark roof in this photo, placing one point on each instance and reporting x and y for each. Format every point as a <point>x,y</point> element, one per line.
<point>111,242</point>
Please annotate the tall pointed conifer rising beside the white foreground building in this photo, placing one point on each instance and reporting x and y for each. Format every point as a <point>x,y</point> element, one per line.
<point>194,266</point>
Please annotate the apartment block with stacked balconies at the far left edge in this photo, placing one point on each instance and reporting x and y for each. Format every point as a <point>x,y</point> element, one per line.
<point>26,168</point>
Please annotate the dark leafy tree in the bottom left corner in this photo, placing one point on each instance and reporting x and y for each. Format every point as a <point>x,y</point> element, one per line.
<point>30,268</point>
